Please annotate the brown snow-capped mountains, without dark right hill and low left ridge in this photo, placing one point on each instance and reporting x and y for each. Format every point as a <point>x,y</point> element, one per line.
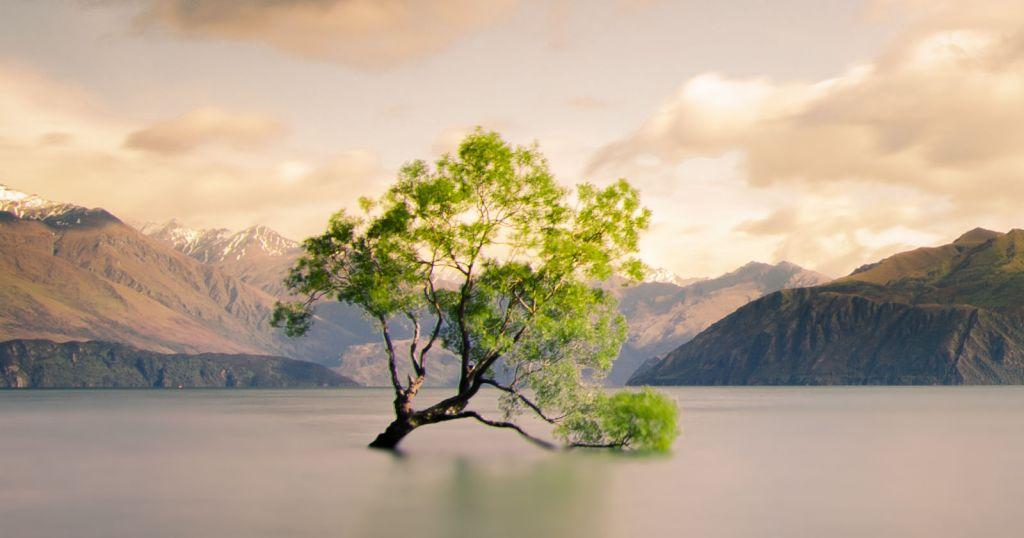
<point>70,273</point>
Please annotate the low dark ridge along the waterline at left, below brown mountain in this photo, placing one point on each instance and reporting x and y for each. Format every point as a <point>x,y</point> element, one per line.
<point>42,364</point>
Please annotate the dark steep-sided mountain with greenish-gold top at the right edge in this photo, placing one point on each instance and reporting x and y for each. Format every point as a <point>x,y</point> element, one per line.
<point>949,315</point>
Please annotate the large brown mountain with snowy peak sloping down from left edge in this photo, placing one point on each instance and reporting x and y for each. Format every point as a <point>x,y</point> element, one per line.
<point>68,273</point>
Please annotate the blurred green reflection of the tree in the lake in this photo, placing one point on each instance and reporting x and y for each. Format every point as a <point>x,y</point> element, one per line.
<point>564,495</point>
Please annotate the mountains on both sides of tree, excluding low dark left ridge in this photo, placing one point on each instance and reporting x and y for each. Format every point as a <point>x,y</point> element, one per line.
<point>953,314</point>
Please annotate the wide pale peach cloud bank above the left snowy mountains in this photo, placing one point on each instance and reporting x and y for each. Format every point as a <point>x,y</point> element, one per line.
<point>75,152</point>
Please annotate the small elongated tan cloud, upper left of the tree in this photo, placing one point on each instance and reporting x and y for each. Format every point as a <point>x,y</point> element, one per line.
<point>205,127</point>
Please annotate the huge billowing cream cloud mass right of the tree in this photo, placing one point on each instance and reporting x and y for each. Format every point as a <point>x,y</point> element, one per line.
<point>919,144</point>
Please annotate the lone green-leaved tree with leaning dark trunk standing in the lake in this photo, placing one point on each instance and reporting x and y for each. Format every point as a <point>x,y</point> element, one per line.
<point>523,316</point>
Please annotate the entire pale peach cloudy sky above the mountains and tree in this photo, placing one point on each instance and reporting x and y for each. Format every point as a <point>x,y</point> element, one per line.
<point>826,134</point>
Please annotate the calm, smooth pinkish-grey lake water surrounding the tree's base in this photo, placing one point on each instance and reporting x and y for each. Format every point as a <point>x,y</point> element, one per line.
<point>794,463</point>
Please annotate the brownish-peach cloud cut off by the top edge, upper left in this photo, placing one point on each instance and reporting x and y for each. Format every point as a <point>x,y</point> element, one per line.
<point>365,34</point>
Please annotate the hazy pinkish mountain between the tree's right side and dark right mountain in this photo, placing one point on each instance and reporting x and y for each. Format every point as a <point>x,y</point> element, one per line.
<point>663,316</point>
